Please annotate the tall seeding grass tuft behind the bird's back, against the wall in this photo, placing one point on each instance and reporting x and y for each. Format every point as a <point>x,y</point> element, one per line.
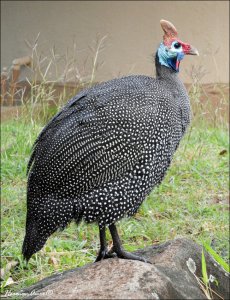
<point>46,96</point>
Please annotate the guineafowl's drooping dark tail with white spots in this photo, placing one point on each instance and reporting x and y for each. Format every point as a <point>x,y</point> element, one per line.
<point>50,217</point>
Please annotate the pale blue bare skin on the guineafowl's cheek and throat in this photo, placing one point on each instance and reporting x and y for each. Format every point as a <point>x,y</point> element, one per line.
<point>169,58</point>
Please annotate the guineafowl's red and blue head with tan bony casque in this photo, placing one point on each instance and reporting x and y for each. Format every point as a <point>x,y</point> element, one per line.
<point>172,50</point>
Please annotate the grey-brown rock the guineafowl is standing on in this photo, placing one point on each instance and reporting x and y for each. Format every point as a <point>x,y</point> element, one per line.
<point>168,277</point>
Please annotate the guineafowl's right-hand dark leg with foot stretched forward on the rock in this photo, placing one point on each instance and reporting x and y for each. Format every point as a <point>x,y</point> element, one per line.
<point>118,249</point>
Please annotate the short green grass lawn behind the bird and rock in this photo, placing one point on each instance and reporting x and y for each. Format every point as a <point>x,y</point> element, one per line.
<point>190,202</point>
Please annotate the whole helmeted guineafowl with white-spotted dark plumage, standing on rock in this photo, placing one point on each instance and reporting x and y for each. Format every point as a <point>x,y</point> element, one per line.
<point>102,154</point>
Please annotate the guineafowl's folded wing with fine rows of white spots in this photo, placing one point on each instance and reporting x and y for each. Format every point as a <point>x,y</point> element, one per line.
<point>94,141</point>
